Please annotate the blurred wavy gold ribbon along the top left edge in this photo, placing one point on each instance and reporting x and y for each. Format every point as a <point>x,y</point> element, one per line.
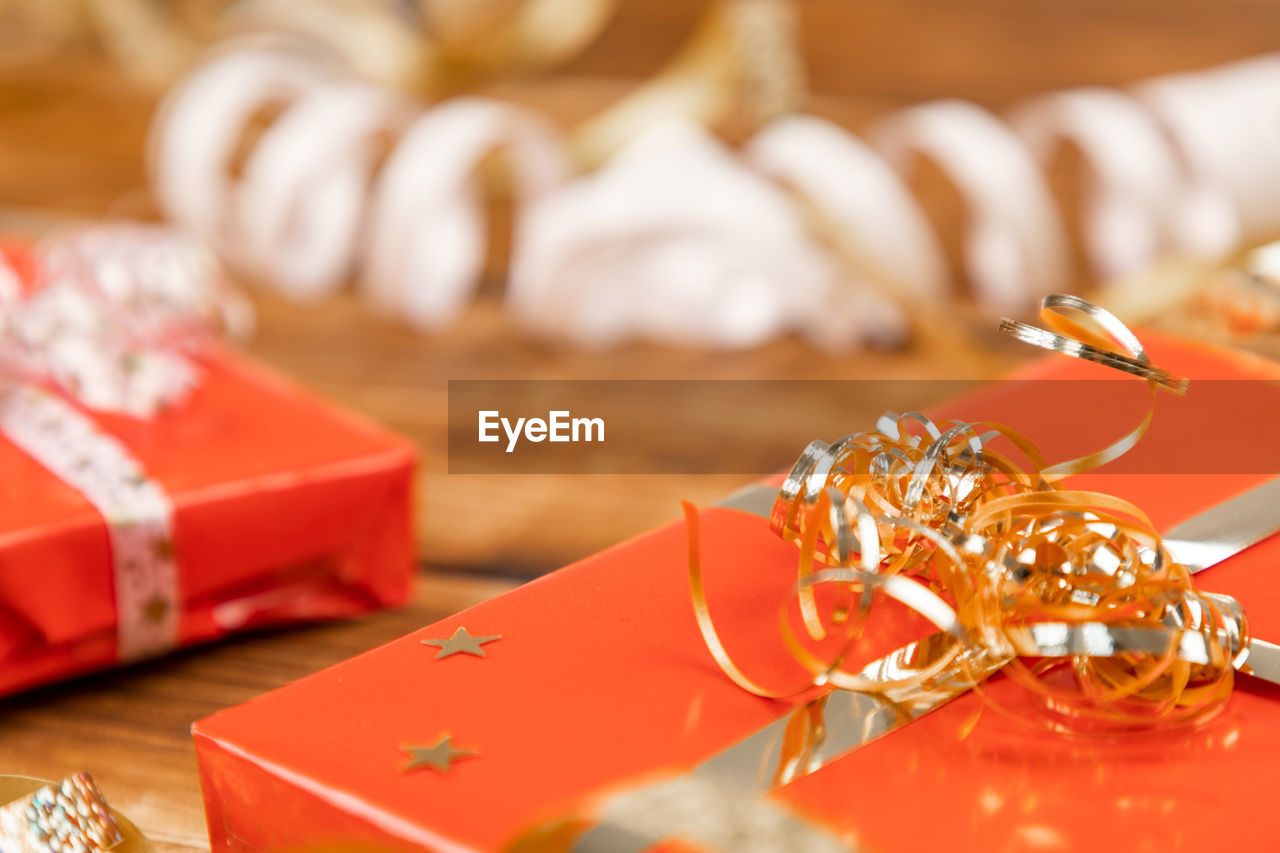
<point>435,47</point>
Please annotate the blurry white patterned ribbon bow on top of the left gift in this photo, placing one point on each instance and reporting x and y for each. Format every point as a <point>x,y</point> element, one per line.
<point>111,316</point>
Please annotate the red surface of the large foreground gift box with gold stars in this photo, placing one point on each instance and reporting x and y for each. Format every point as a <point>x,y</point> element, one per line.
<point>600,686</point>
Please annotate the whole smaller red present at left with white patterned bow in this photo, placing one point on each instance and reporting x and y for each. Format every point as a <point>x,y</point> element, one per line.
<point>236,500</point>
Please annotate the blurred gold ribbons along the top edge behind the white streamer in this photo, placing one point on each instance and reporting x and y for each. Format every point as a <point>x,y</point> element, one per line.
<point>742,53</point>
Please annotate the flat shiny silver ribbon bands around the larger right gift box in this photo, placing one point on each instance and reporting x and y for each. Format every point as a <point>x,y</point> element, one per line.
<point>720,806</point>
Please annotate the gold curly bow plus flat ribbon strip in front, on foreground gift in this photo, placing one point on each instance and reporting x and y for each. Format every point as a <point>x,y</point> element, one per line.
<point>932,542</point>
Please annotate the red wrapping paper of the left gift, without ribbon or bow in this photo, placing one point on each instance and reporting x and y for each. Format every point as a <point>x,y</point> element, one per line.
<point>285,510</point>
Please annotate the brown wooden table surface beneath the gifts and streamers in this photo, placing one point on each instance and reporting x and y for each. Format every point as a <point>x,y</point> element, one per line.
<point>71,143</point>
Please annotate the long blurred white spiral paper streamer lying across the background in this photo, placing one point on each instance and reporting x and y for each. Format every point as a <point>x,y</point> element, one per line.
<point>304,176</point>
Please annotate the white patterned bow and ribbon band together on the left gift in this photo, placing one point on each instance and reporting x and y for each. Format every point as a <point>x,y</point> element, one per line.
<point>111,317</point>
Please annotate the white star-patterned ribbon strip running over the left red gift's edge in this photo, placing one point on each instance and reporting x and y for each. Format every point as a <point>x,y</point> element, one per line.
<point>138,513</point>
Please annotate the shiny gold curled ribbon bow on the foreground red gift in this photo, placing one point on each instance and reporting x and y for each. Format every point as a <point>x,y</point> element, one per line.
<point>1071,594</point>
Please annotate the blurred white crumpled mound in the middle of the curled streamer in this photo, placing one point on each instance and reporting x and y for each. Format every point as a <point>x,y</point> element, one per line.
<point>678,241</point>
